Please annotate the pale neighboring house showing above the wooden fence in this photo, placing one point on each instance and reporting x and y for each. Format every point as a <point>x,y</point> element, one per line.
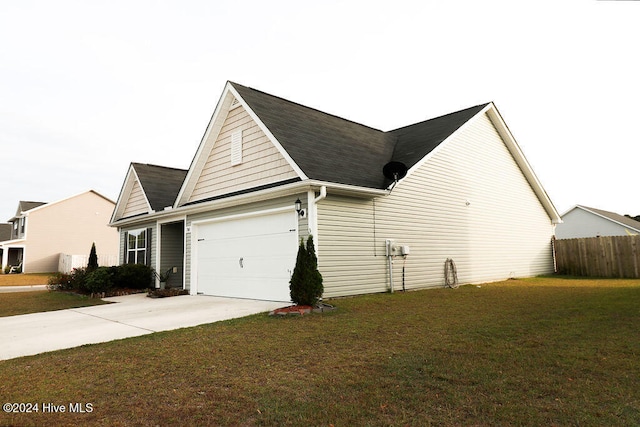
<point>582,221</point>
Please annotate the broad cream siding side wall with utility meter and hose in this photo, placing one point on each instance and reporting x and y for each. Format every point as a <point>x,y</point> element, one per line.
<point>468,202</point>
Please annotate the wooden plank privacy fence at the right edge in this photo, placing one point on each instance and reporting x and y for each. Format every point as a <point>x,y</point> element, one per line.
<point>607,256</point>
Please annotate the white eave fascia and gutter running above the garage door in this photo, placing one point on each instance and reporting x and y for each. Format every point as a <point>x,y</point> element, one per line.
<point>255,196</point>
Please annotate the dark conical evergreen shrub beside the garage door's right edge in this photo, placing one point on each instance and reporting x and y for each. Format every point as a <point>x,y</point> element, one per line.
<point>306,281</point>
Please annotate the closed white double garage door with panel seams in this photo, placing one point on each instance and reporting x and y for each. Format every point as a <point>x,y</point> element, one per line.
<point>249,257</point>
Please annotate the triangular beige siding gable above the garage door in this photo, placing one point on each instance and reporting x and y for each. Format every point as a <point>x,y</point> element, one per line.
<point>261,163</point>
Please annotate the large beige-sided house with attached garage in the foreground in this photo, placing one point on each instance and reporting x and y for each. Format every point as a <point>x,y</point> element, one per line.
<point>230,227</point>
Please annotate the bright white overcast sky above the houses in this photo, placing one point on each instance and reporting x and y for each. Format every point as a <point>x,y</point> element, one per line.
<point>86,87</point>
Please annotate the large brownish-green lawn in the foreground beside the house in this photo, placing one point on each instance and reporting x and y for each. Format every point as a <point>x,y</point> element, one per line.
<point>543,351</point>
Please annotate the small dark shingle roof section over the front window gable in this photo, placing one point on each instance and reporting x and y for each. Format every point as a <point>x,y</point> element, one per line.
<point>161,184</point>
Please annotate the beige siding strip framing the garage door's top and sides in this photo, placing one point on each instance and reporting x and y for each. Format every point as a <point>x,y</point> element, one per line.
<point>239,210</point>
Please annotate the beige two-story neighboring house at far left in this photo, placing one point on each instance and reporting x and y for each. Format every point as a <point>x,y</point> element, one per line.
<point>41,232</point>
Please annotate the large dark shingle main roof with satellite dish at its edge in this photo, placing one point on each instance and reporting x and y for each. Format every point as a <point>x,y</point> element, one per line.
<point>333,149</point>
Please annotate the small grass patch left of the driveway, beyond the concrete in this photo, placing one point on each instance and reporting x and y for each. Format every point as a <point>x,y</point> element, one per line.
<point>14,303</point>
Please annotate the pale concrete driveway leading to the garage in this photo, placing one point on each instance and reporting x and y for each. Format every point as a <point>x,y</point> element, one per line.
<point>129,316</point>
